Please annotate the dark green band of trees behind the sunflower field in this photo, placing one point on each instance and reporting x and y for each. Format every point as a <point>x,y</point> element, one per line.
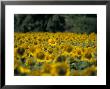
<point>79,23</point>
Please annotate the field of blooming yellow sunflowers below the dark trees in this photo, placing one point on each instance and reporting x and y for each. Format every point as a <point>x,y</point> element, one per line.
<point>55,54</point>
